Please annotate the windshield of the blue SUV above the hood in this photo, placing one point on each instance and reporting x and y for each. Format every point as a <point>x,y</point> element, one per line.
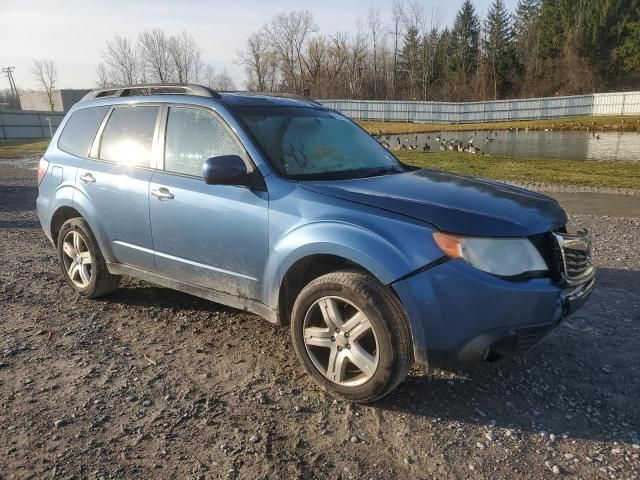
<point>309,143</point>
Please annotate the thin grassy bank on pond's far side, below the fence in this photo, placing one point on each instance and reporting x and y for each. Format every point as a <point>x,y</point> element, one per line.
<point>617,123</point>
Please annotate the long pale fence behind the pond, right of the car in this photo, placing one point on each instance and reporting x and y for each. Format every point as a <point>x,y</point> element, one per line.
<point>627,103</point>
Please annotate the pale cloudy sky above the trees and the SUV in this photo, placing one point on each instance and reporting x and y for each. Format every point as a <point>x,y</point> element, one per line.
<point>73,32</point>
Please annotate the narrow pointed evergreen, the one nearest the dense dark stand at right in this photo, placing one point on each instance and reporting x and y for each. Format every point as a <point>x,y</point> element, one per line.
<point>498,46</point>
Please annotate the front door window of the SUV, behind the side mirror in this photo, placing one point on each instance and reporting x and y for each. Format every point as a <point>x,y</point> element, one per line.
<point>192,136</point>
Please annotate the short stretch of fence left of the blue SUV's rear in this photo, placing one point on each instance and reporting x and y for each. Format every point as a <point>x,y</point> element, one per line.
<point>15,125</point>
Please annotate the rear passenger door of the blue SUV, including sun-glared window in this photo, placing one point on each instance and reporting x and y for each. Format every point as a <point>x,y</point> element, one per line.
<point>116,179</point>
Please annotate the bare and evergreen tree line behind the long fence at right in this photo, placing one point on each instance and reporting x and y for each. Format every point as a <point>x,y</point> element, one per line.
<point>543,48</point>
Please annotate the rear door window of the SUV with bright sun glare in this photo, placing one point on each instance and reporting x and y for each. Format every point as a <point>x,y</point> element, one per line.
<point>128,136</point>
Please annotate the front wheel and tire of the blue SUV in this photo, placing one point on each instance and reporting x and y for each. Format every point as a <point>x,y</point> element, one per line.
<point>351,335</point>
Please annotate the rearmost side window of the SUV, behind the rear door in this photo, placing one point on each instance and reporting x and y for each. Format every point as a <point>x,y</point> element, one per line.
<point>80,130</point>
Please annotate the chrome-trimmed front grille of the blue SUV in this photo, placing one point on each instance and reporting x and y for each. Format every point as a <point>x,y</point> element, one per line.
<point>573,257</point>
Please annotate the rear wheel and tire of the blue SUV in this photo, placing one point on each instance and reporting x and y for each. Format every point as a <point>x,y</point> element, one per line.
<point>81,261</point>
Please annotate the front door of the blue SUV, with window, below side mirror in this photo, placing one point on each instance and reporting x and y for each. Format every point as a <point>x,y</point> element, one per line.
<point>212,236</point>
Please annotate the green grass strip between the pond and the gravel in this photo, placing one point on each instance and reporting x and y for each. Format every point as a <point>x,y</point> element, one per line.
<point>531,170</point>
